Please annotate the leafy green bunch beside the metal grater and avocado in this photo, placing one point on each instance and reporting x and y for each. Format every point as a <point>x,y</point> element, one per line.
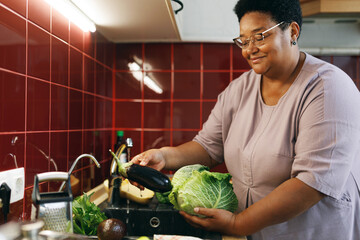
<point>86,216</point>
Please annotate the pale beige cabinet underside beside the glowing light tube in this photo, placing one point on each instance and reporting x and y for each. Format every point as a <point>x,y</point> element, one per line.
<point>132,21</point>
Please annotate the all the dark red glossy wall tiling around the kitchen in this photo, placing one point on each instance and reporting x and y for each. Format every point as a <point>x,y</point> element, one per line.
<point>58,86</point>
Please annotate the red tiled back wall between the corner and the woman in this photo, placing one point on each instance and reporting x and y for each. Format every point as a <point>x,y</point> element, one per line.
<point>191,76</point>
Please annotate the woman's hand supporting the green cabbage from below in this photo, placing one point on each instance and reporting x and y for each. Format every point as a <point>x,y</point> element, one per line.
<point>216,220</point>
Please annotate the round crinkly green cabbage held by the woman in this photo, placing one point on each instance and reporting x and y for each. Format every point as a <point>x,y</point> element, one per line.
<point>195,186</point>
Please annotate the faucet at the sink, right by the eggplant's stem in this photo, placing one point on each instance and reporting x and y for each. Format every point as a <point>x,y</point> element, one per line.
<point>115,183</point>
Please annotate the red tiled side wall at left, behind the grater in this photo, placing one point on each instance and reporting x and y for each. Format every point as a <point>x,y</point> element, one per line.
<point>56,97</point>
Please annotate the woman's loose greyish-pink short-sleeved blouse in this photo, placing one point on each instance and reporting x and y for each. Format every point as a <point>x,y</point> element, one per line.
<point>312,133</point>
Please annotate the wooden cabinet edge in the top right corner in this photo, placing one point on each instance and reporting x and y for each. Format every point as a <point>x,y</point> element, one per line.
<point>326,7</point>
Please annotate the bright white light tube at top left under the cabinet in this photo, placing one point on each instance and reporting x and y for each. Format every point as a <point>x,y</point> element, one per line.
<point>73,13</point>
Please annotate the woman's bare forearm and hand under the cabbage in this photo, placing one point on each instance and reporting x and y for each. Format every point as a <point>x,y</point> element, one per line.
<point>288,200</point>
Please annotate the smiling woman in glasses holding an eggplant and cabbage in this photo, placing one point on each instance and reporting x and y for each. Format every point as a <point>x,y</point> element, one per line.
<point>289,133</point>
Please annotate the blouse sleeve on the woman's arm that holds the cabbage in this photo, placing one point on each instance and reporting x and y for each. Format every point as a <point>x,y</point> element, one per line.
<point>328,133</point>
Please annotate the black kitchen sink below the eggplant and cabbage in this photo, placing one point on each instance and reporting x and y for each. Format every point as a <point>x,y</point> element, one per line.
<point>153,218</point>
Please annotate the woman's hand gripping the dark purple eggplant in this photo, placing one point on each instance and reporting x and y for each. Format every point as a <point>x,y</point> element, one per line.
<point>153,158</point>
